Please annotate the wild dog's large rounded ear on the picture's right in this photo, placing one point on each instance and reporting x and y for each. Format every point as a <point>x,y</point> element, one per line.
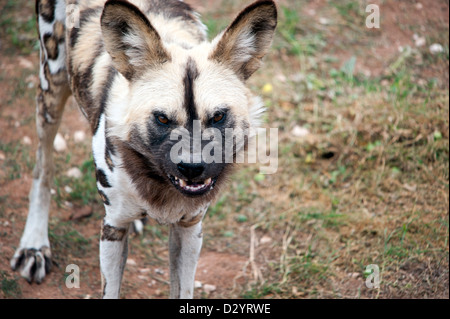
<point>245,42</point>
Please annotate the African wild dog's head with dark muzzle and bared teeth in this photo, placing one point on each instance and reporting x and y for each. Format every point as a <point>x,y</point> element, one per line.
<point>179,93</point>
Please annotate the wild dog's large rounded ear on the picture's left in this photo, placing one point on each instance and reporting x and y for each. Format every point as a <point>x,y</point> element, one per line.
<point>130,39</point>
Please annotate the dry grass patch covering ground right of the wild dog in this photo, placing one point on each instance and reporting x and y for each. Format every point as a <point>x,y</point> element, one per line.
<point>367,185</point>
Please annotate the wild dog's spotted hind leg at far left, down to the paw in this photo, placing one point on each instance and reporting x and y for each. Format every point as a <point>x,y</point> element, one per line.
<point>33,256</point>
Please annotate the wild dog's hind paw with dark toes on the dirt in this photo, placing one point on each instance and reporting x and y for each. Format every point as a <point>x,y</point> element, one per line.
<point>33,264</point>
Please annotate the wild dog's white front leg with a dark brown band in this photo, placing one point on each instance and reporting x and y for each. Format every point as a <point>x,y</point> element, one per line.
<point>113,256</point>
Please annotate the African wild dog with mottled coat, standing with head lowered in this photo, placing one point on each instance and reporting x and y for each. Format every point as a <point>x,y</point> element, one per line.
<point>139,70</point>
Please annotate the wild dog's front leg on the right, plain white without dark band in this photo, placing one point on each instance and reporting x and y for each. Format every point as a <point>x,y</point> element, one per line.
<point>185,244</point>
